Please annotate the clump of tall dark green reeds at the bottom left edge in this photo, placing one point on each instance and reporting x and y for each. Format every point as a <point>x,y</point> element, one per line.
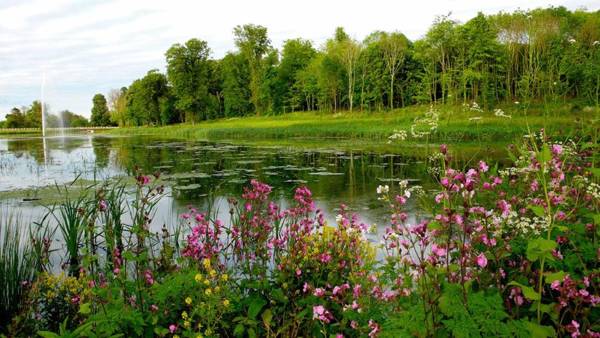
<point>18,264</point>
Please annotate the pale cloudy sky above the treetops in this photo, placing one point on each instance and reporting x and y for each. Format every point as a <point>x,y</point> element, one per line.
<point>80,48</point>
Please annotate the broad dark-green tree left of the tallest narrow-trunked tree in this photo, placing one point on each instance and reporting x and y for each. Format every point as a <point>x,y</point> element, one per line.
<point>188,72</point>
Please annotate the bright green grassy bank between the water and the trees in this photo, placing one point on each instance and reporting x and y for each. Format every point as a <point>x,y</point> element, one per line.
<point>455,124</point>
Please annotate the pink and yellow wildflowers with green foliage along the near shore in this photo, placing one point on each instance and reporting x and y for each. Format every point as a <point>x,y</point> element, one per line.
<point>506,252</point>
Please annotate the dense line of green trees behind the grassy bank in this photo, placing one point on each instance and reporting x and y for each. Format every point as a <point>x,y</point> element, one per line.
<point>542,55</point>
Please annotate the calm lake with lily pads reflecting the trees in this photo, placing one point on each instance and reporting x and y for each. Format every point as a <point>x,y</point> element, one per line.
<point>199,172</point>
